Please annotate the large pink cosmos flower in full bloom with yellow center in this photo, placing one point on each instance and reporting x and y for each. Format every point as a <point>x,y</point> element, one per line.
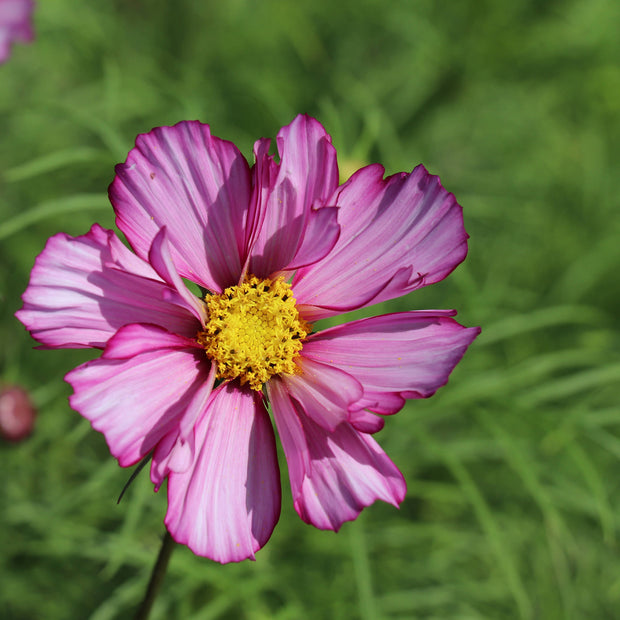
<point>275,247</point>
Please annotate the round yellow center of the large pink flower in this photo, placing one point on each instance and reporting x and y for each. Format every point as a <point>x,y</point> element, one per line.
<point>254,331</point>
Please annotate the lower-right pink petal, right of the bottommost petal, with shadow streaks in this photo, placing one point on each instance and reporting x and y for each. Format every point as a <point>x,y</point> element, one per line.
<point>333,475</point>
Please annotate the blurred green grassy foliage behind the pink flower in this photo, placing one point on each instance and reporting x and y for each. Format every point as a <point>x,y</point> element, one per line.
<point>513,508</point>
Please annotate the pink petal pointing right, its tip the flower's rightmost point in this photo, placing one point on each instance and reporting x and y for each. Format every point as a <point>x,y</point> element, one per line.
<point>394,356</point>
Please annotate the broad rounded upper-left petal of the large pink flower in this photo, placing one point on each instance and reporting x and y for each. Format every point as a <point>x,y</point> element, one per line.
<point>198,187</point>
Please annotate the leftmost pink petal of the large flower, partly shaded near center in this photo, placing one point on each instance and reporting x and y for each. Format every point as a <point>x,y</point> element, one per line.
<point>83,289</point>
